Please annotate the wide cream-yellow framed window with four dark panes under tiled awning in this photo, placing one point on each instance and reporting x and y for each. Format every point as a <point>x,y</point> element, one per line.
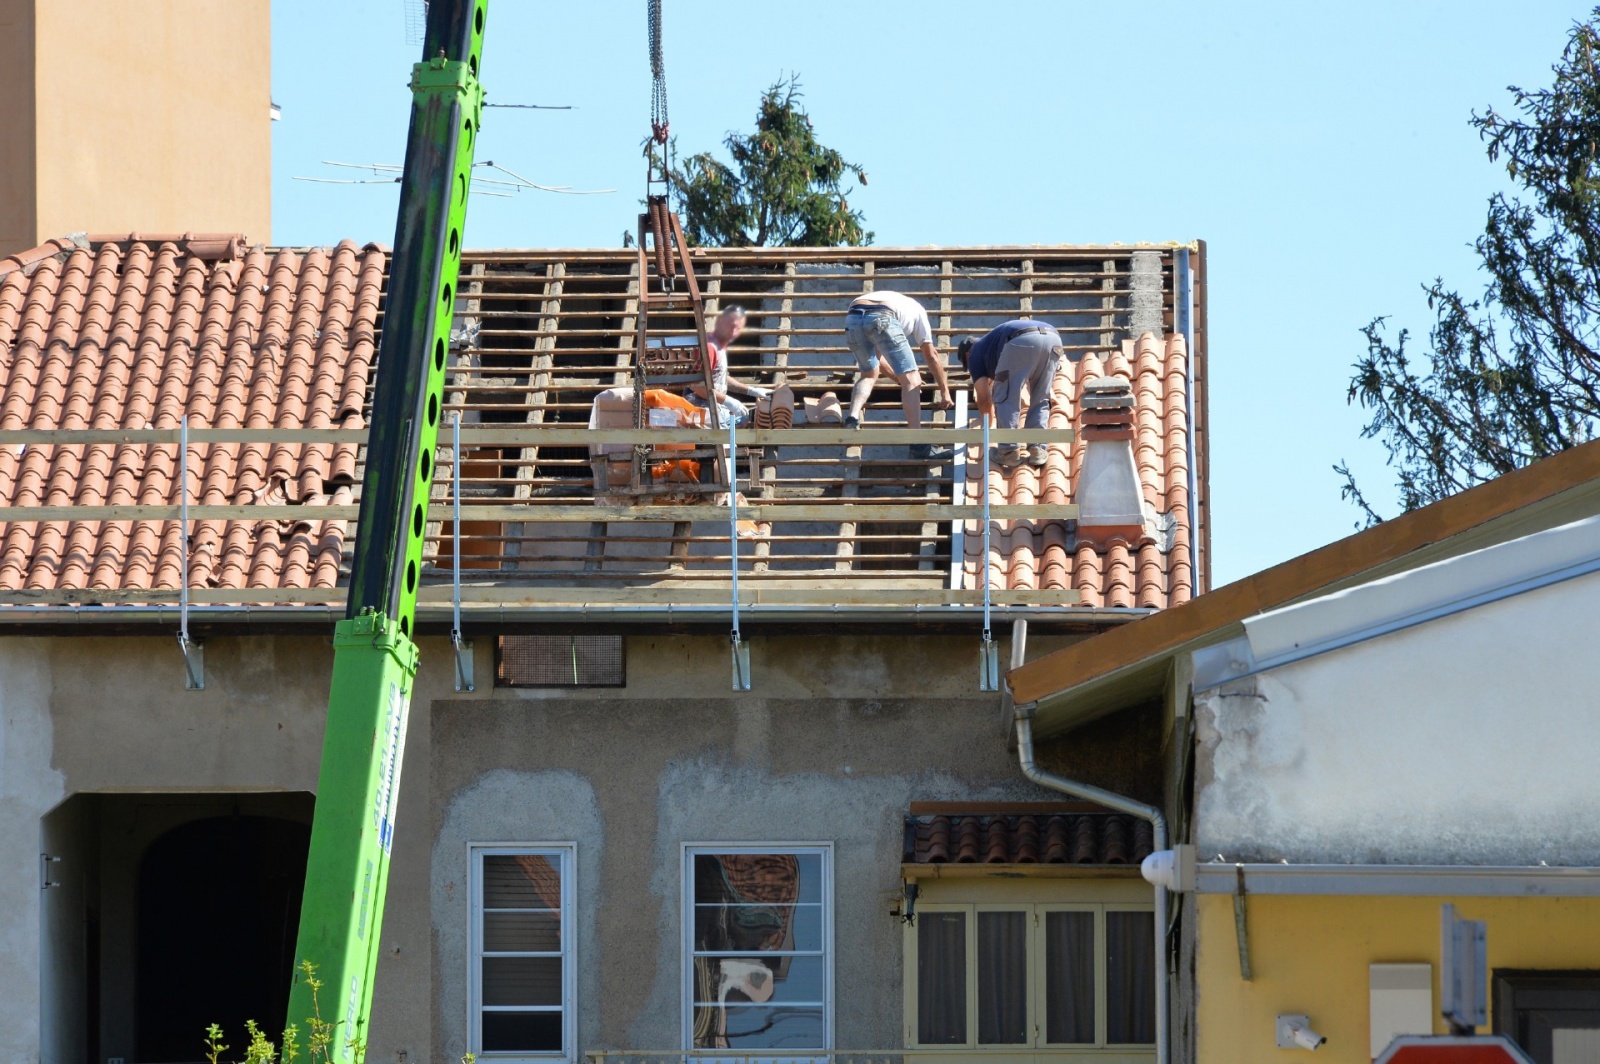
<point>1033,977</point>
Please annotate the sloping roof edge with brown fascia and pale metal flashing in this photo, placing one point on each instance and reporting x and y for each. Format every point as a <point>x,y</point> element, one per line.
<point>1383,570</point>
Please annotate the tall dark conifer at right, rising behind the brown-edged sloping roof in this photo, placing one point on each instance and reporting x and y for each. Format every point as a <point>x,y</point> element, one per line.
<point>1513,375</point>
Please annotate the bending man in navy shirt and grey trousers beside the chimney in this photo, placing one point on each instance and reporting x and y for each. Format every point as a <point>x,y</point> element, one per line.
<point>1001,362</point>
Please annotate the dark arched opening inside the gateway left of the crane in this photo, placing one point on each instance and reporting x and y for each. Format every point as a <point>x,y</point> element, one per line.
<point>218,913</point>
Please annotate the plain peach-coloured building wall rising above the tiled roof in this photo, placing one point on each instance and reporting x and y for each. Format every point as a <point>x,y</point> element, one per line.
<point>150,116</point>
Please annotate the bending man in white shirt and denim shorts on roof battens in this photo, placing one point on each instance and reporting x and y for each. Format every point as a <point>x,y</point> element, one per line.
<point>882,327</point>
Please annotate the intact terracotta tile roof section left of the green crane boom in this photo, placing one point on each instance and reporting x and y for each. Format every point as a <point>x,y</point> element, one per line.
<point>130,332</point>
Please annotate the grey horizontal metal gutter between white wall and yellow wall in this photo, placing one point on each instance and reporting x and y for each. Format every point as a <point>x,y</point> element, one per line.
<point>1462,881</point>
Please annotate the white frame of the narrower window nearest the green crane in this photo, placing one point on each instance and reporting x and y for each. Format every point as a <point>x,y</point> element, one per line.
<point>569,863</point>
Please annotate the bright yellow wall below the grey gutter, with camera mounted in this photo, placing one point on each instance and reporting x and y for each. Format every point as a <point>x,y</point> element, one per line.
<point>1310,954</point>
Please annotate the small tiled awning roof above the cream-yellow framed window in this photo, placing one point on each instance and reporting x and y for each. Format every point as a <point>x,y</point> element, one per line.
<point>1026,839</point>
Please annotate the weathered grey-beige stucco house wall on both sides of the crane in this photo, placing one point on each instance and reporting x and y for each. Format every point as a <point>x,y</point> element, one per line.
<point>839,737</point>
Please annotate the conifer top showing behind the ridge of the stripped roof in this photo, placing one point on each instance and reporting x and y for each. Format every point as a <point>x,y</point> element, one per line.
<point>785,188</point>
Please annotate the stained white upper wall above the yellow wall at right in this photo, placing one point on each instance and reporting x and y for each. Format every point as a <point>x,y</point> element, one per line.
<point>1470,740</point>
